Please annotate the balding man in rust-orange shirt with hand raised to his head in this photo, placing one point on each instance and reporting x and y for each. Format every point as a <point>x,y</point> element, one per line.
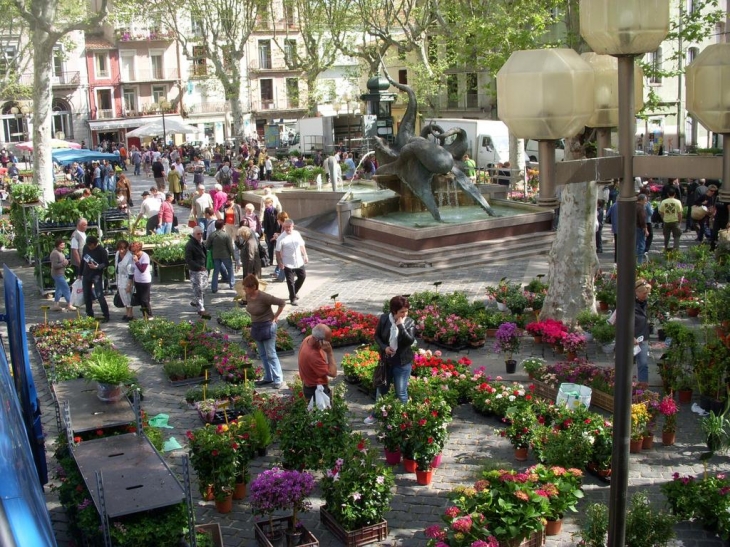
<point>317,361</point>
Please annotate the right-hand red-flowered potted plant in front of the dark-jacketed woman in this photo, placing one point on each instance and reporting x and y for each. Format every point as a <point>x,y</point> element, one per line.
<point>426,429</point>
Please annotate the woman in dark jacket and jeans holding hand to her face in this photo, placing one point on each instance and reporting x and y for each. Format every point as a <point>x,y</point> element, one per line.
<point>395,335</point>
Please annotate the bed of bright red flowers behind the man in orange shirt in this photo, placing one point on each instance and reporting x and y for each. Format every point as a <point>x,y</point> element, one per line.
<point>348,327</point>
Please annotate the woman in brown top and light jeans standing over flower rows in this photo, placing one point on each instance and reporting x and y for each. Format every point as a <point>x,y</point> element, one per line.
<point>263,329</point>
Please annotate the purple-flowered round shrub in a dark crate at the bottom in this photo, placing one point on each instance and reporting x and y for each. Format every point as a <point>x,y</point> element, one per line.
<point>281,490</point>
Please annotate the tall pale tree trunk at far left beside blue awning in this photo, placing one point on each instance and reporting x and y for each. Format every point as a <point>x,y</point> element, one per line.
<point>42,158</point>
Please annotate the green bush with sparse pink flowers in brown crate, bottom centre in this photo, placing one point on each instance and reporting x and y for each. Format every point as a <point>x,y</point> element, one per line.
<point>357,492</point>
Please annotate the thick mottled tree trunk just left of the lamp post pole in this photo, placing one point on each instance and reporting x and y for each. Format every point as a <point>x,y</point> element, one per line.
<point>573,260</point>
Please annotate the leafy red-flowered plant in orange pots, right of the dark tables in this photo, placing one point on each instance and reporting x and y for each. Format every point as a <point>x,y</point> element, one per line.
<point>214,456</point>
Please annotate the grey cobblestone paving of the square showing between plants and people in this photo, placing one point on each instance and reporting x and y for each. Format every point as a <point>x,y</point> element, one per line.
<point>472,442</point>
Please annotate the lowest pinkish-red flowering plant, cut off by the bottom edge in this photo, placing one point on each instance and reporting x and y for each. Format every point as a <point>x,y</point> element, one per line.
<point>461,530</point>
